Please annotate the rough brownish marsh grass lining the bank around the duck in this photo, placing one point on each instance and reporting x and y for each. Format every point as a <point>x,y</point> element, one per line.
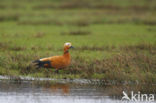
<point>130,65</point>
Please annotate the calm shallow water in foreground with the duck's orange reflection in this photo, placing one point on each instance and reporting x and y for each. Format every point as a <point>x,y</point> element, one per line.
<point>27,91</point>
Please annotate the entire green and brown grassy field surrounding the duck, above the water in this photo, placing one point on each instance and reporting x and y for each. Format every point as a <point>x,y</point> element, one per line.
<point>114,41</point>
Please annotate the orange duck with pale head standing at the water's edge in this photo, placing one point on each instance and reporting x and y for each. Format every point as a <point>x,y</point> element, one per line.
<point>57,62</point>
